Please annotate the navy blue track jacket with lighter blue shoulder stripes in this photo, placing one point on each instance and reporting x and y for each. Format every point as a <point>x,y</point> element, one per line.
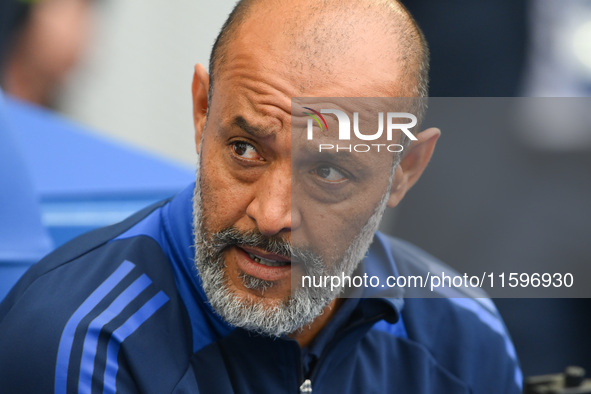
<point>121,309</point>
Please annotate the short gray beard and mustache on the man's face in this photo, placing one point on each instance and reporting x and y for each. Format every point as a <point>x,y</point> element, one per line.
<point>303,305</point>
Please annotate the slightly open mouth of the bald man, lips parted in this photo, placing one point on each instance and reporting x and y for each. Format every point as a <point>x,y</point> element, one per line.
<point>263,265</point>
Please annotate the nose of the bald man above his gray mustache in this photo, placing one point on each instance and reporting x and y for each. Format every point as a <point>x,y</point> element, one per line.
<point>271,205</point>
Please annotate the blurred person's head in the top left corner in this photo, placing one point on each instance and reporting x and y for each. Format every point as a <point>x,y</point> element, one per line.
<point>40,42</point>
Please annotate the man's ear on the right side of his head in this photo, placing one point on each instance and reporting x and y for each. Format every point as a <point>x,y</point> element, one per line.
<point>415,159</point>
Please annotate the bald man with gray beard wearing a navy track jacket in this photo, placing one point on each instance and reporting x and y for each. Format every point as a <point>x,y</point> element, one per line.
<point>205,292</point>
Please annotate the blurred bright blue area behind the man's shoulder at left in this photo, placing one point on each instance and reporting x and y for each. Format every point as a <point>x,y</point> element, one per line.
<point>60,180</point>
